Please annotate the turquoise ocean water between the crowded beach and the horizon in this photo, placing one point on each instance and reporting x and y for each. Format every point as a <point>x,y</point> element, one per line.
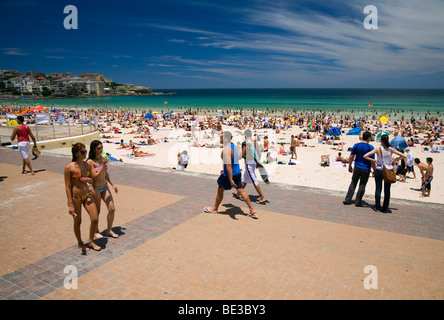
<point>393,100</point>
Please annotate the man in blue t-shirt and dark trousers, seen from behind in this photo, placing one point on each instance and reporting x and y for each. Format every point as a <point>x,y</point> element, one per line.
<point>361,170</point>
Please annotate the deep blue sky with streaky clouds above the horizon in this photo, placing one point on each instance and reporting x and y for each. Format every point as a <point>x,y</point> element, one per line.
<point>167,44</point>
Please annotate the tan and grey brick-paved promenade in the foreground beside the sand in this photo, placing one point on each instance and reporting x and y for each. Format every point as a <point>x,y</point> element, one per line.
<point>305,245</point>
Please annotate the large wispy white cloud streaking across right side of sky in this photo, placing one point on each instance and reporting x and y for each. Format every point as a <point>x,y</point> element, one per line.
<point>409,40</point>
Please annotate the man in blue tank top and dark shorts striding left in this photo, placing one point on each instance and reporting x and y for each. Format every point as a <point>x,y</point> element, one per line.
<point>231,177</point>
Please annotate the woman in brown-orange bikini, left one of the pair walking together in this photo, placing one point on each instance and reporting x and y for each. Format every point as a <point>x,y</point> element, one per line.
<point>78,193</point>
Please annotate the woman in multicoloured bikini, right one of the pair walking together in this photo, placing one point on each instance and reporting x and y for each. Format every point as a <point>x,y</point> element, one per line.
<point>99,173</point>
